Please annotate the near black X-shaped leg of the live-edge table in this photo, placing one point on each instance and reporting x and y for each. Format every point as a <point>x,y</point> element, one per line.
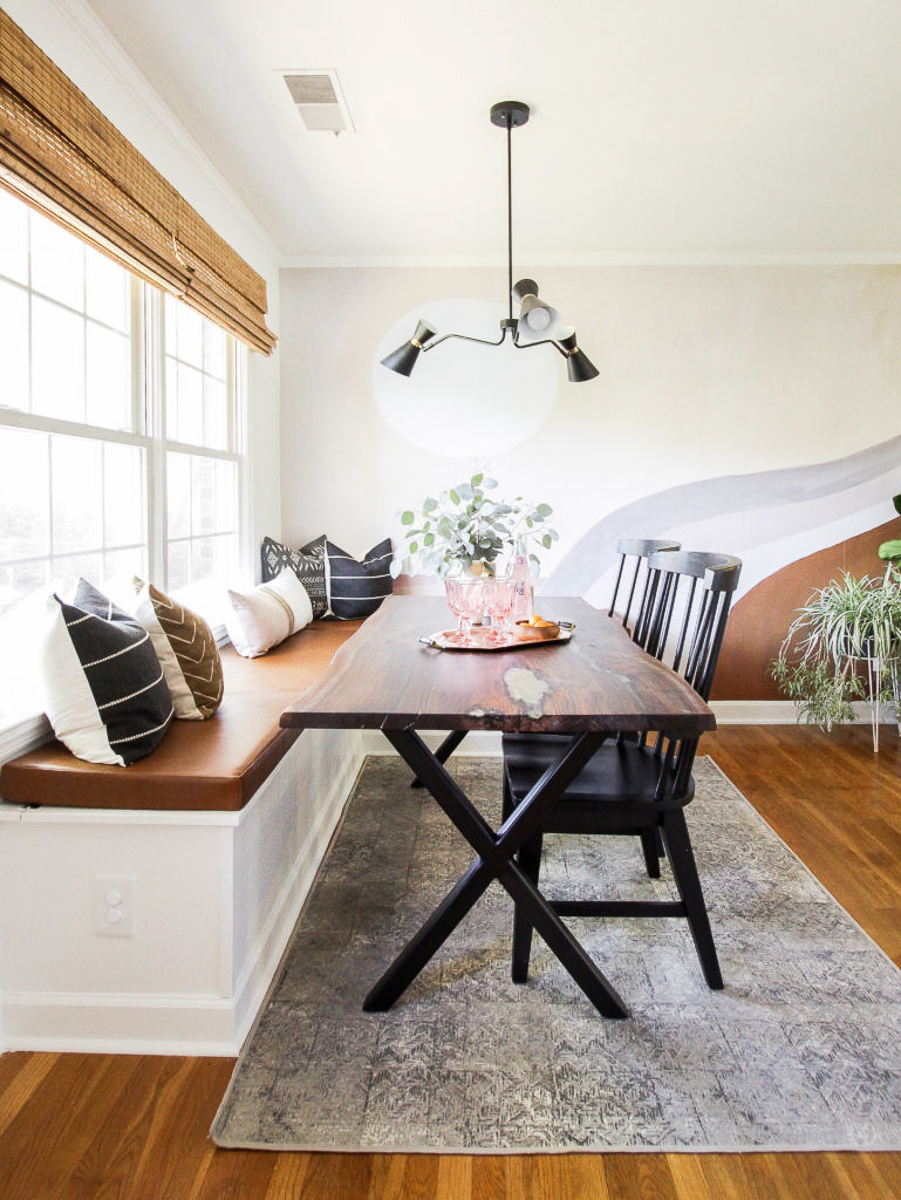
<point>496,861</point>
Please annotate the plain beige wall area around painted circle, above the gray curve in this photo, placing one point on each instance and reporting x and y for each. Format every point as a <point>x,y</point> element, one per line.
<point>705,371</point>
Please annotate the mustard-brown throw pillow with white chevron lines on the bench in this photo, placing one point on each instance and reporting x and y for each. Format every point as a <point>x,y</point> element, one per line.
<point>187,650</point>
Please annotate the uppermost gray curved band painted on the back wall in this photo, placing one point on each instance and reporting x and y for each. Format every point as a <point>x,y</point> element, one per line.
<point>654,515</point>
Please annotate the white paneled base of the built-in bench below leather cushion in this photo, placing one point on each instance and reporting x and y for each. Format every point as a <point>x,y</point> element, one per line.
<point>217,896</point>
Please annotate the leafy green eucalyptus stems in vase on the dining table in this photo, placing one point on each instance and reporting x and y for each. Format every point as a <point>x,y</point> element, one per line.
<point>466,530</point>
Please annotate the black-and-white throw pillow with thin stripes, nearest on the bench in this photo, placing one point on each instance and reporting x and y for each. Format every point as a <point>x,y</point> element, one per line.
<point>106,693</point>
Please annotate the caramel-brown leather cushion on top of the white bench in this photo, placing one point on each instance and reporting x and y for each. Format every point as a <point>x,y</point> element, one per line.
<point>215,765</point>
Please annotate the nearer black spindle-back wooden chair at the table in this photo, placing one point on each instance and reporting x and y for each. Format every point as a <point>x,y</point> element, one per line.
<point>640,788</point>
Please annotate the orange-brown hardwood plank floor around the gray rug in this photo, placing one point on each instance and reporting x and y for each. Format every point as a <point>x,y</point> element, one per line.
<point>127,1127</point>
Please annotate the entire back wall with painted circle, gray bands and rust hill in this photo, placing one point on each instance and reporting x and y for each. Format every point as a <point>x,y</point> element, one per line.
<point>744,409</point>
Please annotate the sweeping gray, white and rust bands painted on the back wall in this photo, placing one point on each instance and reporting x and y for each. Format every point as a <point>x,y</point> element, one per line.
<point>795,530</point>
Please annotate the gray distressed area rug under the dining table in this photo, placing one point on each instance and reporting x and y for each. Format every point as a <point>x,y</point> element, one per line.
<point>801,1052</point>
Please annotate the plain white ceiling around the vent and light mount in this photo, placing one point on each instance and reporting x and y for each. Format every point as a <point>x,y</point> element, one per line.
<point>662,130</point>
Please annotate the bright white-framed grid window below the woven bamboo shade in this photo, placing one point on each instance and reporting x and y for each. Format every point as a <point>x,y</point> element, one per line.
<point>121,435</point>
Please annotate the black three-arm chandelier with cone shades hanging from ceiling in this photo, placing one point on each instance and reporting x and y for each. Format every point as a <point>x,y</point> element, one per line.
<point>538,323</point>
